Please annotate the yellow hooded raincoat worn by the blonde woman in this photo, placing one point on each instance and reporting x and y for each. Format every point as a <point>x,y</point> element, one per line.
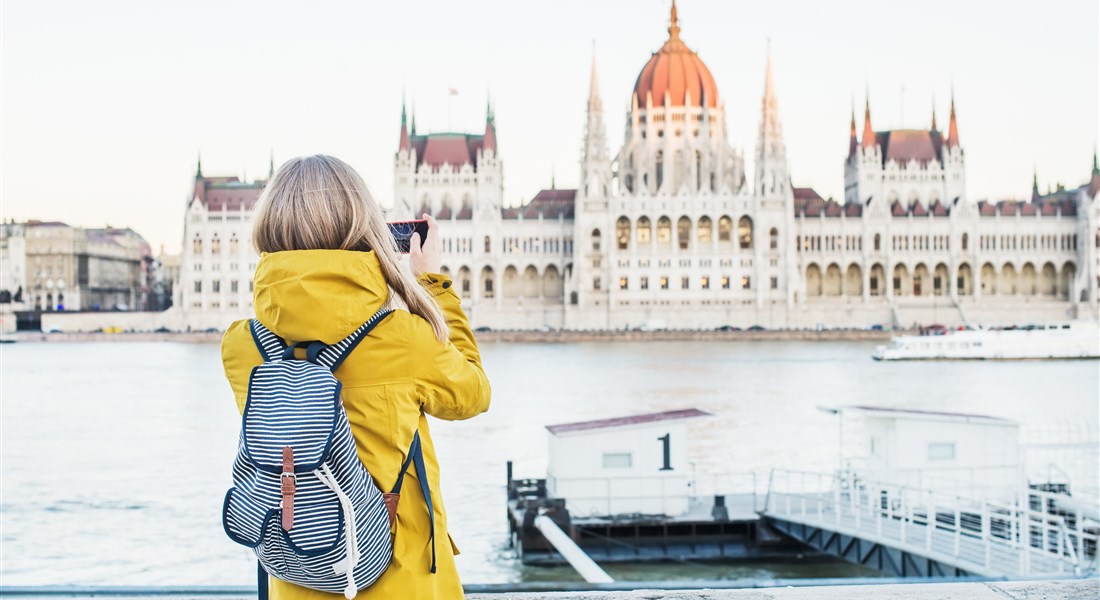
<point>397,376</point>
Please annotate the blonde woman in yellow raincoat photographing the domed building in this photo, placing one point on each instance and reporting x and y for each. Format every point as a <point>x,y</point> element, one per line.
<point>328,263</point>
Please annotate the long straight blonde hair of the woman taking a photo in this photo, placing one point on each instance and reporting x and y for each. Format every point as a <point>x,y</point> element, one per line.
<point>321,203</point>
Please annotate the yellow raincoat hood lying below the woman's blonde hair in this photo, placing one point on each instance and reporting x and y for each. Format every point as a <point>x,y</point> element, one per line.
<point>305,296</point>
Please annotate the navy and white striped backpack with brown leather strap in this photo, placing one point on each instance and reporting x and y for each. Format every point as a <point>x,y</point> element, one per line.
<point>302,499</point>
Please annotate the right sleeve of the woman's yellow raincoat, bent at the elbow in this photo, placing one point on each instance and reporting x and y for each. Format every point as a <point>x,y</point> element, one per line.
<point>449,377</point>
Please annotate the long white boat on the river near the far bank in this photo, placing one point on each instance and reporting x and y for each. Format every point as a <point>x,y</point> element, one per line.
<point>1057,341</point>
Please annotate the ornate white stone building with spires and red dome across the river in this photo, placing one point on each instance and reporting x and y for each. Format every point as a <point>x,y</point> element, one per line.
<point>673,233</point>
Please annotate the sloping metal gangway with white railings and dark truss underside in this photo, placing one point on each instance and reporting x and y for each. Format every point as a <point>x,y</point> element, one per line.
<point>920,532</point>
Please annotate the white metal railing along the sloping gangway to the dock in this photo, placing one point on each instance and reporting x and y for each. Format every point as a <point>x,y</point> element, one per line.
<point>983,537</point>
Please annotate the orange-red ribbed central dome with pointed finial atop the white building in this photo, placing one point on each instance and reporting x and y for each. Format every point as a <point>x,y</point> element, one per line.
<point>678,71</point>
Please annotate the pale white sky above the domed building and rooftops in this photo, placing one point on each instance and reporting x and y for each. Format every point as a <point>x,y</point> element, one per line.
<point>105,106</point>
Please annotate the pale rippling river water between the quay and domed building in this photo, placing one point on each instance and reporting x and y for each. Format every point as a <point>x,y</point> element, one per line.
<point>116,456</point>
